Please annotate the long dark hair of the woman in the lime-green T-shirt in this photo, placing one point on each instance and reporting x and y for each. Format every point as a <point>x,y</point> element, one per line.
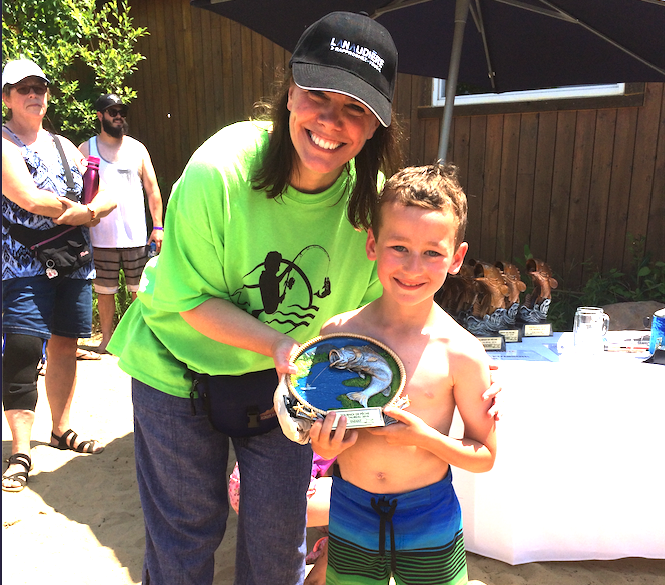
<point>381,153</point>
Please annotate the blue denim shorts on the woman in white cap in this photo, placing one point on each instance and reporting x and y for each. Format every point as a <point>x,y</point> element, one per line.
<point>39,307</point>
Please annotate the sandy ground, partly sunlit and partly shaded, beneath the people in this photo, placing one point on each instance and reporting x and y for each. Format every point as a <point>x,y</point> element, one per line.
<point>79,520</point>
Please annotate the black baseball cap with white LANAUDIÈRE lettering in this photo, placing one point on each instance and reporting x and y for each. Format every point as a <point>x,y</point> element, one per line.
<point>350,54</point>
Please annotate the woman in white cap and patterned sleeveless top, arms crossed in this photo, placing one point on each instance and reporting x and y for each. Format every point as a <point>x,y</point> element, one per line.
<point>35,308</point>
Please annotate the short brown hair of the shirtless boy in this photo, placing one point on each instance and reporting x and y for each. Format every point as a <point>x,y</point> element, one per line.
<point>434,186</point>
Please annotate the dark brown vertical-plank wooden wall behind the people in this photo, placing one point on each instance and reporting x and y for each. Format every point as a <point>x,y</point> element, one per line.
<point>577,186</point>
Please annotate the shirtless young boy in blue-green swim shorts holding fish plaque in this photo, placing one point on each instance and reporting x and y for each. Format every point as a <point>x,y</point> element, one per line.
<point>393,508</point>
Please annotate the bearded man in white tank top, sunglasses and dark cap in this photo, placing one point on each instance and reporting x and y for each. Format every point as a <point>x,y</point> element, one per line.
<point>120,238</point>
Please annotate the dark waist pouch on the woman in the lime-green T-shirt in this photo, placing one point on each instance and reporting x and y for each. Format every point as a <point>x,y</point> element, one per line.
<point>240,406</point>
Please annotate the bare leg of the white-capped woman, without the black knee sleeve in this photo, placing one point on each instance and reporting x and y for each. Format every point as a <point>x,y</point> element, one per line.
<point>61,382</point>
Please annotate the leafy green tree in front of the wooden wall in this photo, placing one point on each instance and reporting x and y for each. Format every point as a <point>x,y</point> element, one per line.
<point>85,48</point>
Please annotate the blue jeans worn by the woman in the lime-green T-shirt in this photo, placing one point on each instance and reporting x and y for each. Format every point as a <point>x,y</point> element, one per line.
<point>181,464</point>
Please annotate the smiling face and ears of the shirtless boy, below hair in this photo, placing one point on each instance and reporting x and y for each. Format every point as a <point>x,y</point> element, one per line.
<point>415,250</point>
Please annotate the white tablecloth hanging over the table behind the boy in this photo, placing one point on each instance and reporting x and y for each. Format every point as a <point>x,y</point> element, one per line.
<point>580,467</point>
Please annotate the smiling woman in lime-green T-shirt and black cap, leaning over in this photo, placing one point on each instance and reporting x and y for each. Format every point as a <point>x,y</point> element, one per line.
<point>258,252</point>
